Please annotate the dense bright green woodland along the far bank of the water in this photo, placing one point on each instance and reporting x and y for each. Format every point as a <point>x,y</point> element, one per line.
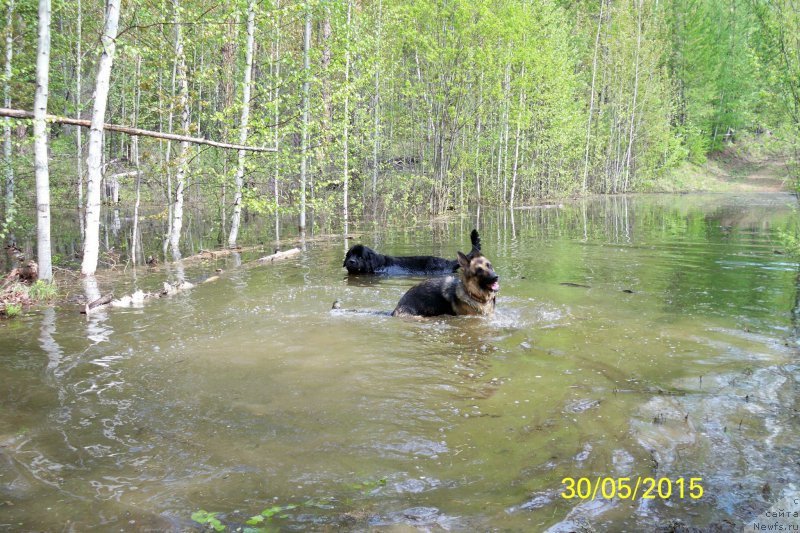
<point>373,106</point>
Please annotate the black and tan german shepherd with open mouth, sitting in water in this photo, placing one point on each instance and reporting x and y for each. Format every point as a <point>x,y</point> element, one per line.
<point>470,292</point>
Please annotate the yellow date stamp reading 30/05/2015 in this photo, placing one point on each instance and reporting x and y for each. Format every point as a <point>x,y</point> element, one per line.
<point>627,488</point>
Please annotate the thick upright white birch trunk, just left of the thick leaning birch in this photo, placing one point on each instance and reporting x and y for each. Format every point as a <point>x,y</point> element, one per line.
<point>40,132</point>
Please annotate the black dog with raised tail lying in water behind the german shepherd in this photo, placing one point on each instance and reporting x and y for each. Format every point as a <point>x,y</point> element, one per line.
<point>363,260</point>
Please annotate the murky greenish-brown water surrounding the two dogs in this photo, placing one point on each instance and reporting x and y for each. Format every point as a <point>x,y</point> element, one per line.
<point>249,393</point>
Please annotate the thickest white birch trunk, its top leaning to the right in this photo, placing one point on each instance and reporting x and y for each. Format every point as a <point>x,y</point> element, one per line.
<point>91,248</point>
